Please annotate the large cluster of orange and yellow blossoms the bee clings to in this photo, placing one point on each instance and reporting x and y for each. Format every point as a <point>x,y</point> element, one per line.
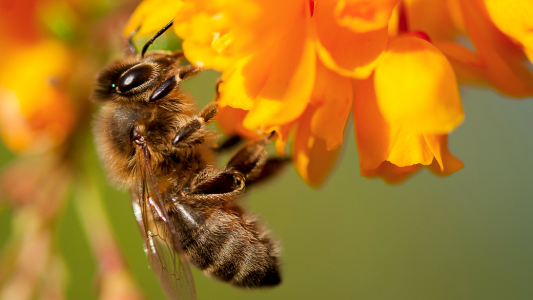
<point>299,69</point>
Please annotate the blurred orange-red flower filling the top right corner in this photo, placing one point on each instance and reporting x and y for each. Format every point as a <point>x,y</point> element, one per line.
<point>498,31</point>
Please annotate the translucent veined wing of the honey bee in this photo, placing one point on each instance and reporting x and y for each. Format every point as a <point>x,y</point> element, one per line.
<point>161,244</point>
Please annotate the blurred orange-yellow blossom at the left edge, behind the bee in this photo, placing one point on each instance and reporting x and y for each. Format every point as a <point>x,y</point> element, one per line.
<point>35,112</point>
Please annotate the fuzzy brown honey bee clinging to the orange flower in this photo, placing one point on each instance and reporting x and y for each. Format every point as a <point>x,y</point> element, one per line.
<point>151,141</point>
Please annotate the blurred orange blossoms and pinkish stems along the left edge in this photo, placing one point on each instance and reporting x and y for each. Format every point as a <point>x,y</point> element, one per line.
<point>44,84</point>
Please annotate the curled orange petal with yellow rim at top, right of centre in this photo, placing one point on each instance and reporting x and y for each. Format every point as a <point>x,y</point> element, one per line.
<point>343,50</point>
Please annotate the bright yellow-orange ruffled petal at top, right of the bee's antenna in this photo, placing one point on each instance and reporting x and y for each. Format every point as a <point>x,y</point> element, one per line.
<point>218,33</point>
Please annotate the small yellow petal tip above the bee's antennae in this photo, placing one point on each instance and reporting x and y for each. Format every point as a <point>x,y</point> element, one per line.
<point>152,15</point>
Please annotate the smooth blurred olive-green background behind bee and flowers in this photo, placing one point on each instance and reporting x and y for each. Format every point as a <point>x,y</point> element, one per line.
<point>467,236</point>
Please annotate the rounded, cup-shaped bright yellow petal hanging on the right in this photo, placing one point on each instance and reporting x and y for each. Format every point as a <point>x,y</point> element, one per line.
<point>416,87</point>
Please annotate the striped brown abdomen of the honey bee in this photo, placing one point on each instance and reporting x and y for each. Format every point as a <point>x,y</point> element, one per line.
<point>228,245</point>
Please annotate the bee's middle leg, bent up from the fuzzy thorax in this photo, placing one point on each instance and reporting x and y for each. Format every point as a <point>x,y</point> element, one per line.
<point>186,137</point>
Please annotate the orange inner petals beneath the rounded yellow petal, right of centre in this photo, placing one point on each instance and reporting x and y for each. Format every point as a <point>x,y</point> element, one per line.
<point>379,141</point>
